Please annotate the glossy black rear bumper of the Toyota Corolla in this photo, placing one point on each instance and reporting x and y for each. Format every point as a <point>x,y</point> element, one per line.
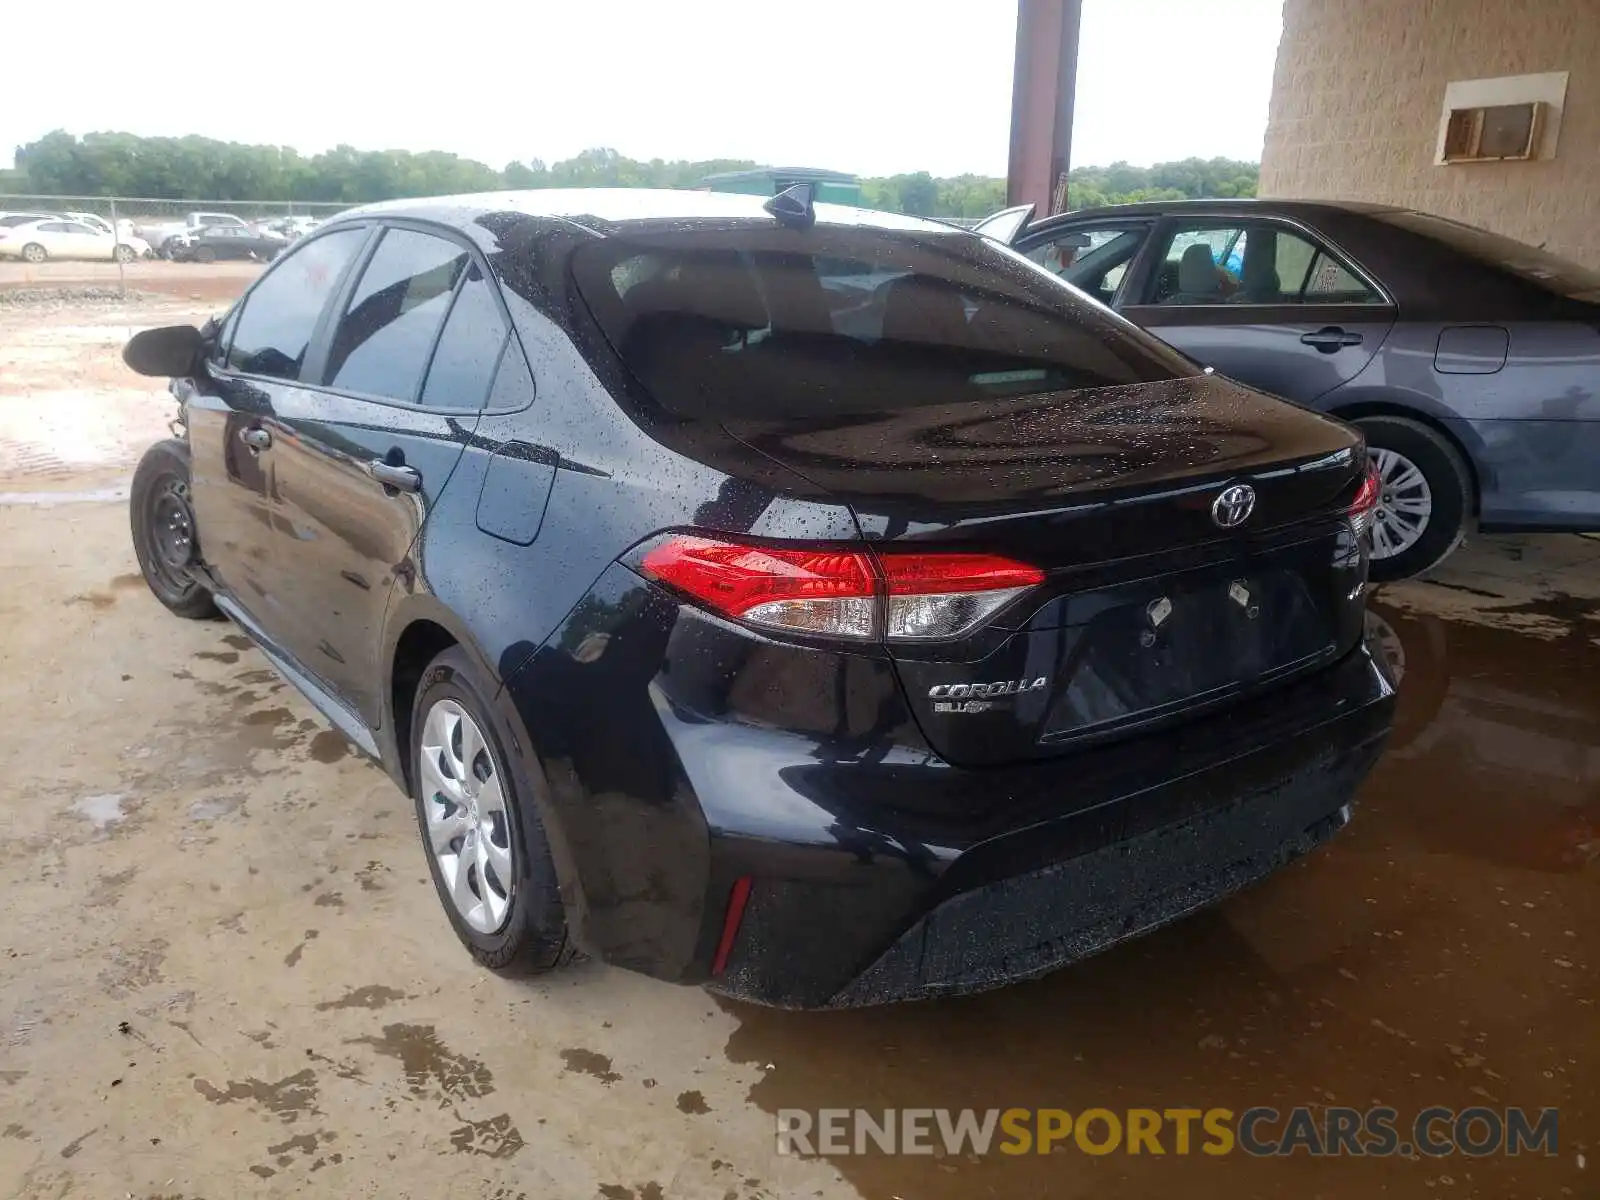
<point>833,868</point>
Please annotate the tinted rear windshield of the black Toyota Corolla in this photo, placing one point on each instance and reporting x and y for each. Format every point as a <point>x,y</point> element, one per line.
<point>778,322</point>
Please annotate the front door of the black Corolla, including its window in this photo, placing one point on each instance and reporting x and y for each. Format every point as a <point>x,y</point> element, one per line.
<point>233,414</point>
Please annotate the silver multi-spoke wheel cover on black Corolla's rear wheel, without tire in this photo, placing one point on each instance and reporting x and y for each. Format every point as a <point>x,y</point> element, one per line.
<point>465,804</point>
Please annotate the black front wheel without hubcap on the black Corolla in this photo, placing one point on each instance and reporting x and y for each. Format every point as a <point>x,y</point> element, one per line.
<point>158,502</point>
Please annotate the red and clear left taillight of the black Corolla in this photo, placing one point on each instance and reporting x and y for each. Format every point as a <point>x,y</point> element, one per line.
<point>841,593</point>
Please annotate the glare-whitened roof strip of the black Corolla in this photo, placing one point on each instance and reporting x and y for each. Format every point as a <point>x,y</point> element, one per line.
<point>614,209</point>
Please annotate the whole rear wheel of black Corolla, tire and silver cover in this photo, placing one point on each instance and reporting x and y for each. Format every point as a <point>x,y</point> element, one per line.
<point>518,926</point>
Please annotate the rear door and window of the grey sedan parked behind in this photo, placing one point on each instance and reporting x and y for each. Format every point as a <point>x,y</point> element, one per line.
<point>1262,302</point>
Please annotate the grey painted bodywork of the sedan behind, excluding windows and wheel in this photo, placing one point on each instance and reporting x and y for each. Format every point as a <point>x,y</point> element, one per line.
<point>1526,418</point>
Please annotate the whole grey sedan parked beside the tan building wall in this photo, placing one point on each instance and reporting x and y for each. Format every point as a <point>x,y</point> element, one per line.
<point>1468,359</point>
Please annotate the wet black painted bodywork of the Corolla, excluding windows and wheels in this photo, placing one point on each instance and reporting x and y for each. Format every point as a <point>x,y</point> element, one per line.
<point>628,710</point>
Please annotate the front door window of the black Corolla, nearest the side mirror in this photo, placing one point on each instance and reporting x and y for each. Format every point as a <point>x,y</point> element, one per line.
<point>281,313</point>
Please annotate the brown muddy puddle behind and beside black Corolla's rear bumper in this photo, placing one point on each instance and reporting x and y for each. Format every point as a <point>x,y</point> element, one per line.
<point>1441,951</point>
